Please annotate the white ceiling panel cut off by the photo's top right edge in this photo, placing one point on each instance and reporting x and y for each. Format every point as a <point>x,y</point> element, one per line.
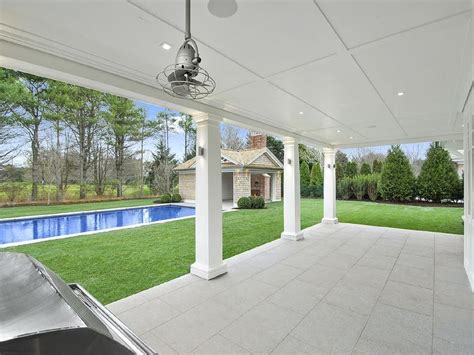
<point>360,22</point>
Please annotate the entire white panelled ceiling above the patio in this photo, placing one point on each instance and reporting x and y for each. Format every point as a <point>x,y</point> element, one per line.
<point>341,63</point>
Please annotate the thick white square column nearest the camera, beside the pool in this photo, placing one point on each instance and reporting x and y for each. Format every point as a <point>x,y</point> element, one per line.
<point>209,263</point>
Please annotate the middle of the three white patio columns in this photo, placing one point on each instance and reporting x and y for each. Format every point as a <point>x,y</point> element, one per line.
<point>291,187</point>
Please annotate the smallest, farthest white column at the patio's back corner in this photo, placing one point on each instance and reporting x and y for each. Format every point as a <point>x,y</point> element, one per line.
<point>329,186</point>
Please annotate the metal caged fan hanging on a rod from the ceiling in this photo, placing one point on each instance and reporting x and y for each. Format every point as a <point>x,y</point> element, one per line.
<point>185,78</point>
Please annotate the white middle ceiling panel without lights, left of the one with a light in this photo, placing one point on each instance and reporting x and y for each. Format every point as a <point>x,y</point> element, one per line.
<point>337,87</point>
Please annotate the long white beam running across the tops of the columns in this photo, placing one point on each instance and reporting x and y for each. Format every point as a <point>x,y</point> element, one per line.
<point>35,61</point>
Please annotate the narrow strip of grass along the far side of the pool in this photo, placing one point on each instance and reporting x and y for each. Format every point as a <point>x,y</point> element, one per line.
<point>9,212</point>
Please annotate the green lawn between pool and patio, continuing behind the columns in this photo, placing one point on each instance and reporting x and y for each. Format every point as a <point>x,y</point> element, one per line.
<point>116,264</point>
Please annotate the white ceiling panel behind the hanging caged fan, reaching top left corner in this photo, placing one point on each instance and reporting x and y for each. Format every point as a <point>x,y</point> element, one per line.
<point>80,27</point>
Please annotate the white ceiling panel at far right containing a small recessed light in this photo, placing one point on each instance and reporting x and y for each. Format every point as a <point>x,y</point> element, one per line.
<point>424,64</point>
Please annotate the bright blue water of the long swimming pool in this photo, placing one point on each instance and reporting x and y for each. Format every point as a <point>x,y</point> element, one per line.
<point>21,230</point>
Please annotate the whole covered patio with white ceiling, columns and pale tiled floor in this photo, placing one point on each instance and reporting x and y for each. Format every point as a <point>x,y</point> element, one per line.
<point>327,74</point>
